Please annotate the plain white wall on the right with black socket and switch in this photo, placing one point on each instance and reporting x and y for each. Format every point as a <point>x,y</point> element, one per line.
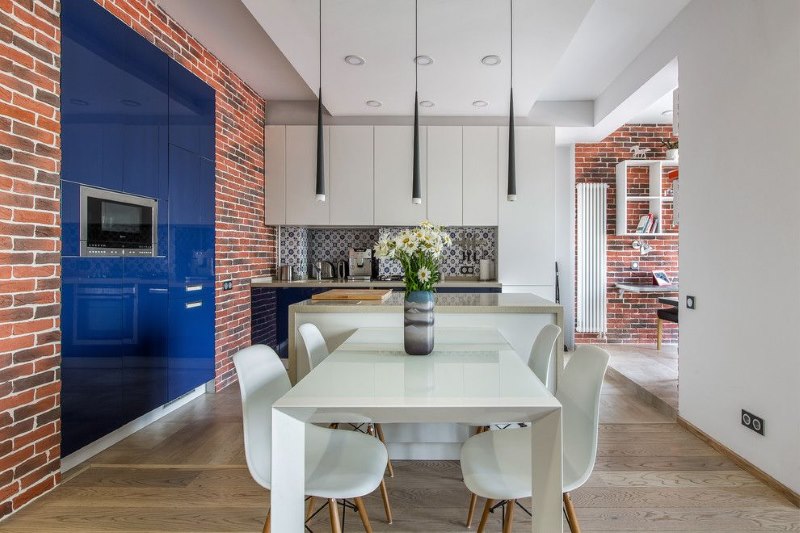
<point>740,235</point>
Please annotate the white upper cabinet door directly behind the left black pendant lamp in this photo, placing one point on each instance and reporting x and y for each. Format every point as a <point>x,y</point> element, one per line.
<point>302,207</point>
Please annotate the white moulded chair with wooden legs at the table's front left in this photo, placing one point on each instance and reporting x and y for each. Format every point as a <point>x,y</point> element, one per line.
<point>339,464</point>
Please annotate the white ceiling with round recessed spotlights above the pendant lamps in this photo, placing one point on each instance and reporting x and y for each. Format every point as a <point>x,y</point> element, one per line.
<point>565,52</point>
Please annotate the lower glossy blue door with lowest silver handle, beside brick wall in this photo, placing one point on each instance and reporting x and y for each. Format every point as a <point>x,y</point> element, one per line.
<point>191,340</point>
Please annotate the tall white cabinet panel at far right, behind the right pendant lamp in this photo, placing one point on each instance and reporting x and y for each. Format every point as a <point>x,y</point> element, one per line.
<point>526,229</point>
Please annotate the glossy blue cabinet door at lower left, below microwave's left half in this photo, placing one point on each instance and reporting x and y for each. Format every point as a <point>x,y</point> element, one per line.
<point>93,331</point>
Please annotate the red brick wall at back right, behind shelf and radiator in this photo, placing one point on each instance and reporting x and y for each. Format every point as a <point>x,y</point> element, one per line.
<point>631,319</point>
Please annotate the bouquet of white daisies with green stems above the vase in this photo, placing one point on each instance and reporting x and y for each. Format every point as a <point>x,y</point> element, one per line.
<point>419,251</point>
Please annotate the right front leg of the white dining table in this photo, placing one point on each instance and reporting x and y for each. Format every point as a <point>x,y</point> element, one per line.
<point>546,476</point>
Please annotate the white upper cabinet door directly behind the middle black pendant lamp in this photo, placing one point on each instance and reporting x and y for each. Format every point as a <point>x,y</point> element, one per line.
<point>394,150</point>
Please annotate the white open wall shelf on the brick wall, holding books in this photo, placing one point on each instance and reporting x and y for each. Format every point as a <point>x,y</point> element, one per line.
<point>653,195</point>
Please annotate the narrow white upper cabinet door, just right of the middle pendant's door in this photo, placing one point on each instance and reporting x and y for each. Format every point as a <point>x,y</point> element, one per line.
<point>444,175</point>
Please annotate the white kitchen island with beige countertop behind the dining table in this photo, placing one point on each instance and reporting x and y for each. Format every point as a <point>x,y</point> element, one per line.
<point>518,318</point>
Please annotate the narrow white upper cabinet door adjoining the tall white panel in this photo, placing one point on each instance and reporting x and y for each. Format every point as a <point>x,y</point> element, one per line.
<point>480,175</point>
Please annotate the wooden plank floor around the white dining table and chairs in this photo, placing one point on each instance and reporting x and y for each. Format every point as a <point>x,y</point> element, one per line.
<point>187,473</point>
